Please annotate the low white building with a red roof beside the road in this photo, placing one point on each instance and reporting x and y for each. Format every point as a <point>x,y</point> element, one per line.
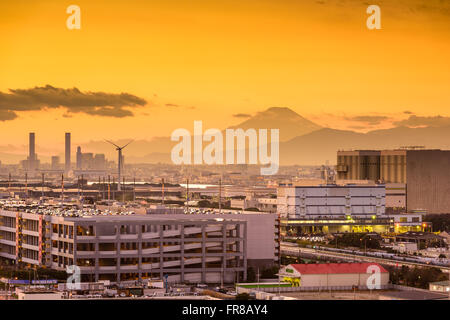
<point>336,275</point>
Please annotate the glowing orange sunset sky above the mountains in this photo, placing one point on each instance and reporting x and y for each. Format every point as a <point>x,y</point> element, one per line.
<point>217,58</point>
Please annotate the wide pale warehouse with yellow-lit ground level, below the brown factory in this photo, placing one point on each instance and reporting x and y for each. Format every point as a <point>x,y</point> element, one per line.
<point>338,209</point>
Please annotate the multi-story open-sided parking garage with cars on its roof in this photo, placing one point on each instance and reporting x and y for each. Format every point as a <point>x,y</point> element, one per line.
<point>209,248</point>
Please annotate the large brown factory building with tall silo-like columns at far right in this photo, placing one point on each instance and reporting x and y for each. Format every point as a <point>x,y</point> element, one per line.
<point>425,173</point>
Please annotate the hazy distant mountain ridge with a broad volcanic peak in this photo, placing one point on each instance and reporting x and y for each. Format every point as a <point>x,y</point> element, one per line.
<point>301,141</point>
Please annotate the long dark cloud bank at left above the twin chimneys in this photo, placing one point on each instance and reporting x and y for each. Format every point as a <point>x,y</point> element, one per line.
<point>75,101</point>
